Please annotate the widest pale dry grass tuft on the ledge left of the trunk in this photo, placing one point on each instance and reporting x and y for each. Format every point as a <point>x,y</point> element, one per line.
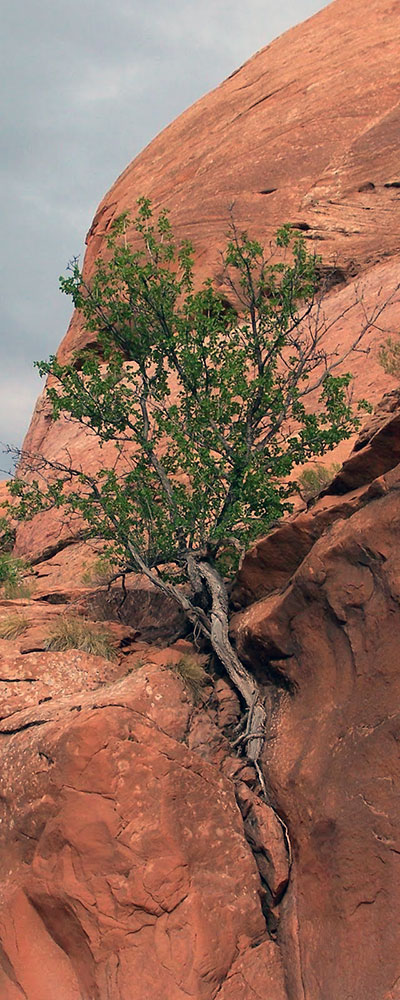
<point>76,633</point>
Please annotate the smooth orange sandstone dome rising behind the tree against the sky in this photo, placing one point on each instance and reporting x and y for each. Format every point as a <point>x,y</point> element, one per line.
<point>306,132</point>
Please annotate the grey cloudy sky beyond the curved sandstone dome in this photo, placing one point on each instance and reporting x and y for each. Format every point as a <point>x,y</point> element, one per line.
<point>85,85</point>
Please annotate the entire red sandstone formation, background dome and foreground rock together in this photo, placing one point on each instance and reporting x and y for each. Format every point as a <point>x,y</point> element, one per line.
<point>139,861</point>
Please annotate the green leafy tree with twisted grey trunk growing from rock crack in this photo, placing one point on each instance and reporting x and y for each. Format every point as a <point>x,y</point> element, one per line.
<point>208,407</point>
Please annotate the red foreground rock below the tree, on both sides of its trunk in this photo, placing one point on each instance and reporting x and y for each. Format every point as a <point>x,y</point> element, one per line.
<point>138,858</point>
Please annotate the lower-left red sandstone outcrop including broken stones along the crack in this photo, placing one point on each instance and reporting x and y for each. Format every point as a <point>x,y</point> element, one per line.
<point>126,870</point>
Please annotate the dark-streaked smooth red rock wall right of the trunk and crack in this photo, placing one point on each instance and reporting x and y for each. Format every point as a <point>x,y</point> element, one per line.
<point>331,639</point>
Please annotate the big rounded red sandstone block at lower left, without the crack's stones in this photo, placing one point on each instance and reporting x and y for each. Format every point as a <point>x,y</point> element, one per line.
<point>127,869</point>
